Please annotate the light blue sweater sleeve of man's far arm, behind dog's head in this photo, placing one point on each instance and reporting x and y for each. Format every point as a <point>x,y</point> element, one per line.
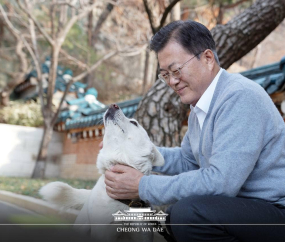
<point>178,159</point>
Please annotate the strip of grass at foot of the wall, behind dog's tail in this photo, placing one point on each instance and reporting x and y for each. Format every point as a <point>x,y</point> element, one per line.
<point>30,187</point>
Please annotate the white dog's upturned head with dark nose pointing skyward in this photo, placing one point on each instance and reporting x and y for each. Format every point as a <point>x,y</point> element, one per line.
<point>126,142</point>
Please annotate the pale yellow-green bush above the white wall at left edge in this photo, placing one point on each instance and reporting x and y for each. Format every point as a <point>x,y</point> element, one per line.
<point>22,113</point>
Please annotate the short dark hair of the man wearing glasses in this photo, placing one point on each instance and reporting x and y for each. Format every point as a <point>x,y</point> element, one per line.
<point>192,36</point>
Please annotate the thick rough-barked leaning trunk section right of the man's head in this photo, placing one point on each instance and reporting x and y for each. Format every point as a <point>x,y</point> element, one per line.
<point>244,32</point>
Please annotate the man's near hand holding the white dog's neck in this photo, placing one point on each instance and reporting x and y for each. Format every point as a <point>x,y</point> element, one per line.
<point>122,182</point>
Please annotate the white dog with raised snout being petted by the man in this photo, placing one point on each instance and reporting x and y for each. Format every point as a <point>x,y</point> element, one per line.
<point>125,142</point>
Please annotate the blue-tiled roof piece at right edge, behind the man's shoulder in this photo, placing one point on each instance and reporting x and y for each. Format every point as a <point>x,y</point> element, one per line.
<point>270,77</point>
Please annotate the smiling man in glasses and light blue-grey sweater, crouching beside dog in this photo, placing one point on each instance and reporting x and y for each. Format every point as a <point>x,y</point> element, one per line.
<point>230,168</point>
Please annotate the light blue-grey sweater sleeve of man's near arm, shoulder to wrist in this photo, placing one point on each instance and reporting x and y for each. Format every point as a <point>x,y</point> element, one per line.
<point>237,142</point>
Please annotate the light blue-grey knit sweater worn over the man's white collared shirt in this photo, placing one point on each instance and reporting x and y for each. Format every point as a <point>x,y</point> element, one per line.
<point>239,151</point>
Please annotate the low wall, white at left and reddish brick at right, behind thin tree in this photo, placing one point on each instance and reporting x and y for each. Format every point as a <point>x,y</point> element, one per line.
<point>20,146</point>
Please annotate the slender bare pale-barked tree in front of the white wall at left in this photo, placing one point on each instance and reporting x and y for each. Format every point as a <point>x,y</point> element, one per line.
<point>60,27</point>
